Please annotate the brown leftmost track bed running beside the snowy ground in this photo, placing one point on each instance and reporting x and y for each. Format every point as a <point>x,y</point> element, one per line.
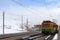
<point>16,36</point>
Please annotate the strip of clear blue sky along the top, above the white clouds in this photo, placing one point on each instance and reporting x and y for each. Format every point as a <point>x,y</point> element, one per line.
<point>33,3</point>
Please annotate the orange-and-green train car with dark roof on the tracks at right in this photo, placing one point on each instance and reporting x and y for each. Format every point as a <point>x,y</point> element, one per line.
<point>49,27</point>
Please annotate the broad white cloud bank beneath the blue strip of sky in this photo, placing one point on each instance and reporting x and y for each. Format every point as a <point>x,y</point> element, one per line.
<point>35,15</point>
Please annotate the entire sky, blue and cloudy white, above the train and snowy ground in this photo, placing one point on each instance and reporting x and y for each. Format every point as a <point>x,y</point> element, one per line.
<point>35,10</point>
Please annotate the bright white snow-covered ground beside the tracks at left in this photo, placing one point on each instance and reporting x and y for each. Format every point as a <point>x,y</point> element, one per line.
<point>9,31</point>
